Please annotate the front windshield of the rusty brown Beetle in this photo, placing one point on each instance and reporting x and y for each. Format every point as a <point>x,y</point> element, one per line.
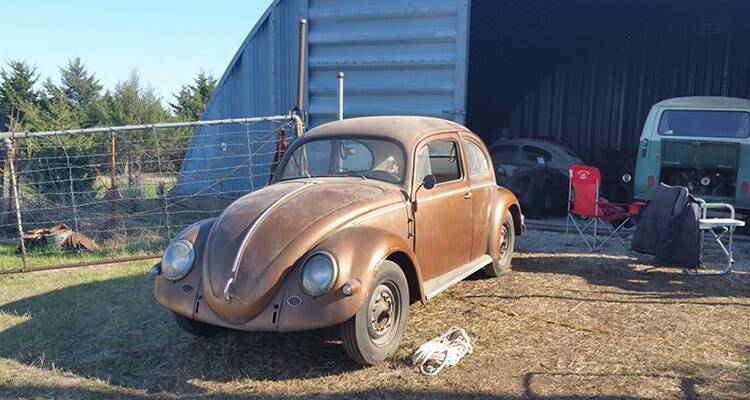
<point>366,158</point>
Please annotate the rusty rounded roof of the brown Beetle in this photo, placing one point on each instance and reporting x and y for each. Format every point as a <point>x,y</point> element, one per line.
<point>408,130</point>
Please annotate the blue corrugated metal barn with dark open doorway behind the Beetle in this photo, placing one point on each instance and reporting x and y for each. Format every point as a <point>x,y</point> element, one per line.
<point>583,73</point>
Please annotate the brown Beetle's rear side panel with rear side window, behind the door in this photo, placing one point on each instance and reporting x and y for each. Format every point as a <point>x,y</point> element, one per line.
<point>481,186</point>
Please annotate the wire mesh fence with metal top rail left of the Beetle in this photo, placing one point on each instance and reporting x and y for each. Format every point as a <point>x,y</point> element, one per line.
<point>102,195</point>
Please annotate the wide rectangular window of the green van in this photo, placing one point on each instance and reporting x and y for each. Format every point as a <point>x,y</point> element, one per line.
<point>694,123</point>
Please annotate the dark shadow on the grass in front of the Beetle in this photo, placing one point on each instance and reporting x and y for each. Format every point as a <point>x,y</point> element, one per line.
<point>113,330</point>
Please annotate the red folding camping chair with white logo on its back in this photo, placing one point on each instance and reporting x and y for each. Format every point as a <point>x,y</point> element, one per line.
<point>584,202</point>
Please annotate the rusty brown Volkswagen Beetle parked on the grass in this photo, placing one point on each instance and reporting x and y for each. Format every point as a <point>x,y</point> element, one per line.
<point>363,217</point>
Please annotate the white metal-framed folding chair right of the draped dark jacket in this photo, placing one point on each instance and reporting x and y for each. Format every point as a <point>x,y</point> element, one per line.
<point>719,227</point>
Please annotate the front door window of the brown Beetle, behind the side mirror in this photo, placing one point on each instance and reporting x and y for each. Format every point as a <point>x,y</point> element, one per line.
<point>441,159</point>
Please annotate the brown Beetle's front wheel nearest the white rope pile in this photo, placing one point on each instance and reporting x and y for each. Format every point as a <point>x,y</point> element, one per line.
<point>375,332</point>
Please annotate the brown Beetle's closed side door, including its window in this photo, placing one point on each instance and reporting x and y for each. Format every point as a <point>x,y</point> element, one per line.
<point>443,231</point>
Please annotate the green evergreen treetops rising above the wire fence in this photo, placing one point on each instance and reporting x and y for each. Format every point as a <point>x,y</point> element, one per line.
<point>79,100</point>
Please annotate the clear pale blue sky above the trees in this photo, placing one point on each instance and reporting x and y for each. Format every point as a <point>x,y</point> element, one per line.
<point>166,41</point>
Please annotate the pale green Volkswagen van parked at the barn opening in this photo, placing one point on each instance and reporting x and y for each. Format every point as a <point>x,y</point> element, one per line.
<point>702,143</point>
